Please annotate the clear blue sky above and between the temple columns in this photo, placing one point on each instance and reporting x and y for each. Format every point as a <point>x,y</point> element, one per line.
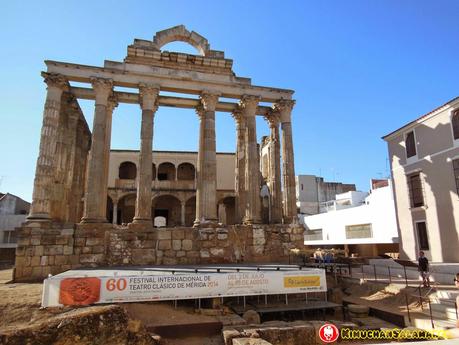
<point>360,69</point>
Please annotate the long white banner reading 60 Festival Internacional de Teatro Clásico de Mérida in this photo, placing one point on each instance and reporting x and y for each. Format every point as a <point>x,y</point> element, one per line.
<point>161,286</point>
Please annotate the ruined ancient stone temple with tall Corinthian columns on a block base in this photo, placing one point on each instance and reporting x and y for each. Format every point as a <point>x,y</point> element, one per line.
<point>73,199</point>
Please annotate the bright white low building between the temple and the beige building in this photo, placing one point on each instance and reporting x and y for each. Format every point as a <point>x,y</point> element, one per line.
<point>361,223</point>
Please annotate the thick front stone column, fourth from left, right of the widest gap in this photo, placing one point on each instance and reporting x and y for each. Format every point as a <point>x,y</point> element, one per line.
<point>206,207</point>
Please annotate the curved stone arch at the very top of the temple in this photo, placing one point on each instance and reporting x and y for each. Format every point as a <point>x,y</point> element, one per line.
<point>180,33</point>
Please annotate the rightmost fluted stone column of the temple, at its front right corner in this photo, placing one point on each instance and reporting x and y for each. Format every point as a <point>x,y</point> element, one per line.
<point>284,107</point>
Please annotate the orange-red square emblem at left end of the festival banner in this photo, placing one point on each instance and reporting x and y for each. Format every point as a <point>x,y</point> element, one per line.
<point>79,291</point>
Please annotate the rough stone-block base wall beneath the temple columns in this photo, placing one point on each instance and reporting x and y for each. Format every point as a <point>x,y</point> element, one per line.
<point>48,248</point>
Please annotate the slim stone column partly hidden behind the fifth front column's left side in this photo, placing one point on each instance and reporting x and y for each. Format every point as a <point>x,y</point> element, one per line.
<point>240,165</point>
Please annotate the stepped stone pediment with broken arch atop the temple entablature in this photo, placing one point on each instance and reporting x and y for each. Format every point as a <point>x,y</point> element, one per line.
<point>147,52</point>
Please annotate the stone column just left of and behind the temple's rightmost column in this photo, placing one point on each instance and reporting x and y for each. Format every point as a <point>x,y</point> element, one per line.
<point>274,178</point>
